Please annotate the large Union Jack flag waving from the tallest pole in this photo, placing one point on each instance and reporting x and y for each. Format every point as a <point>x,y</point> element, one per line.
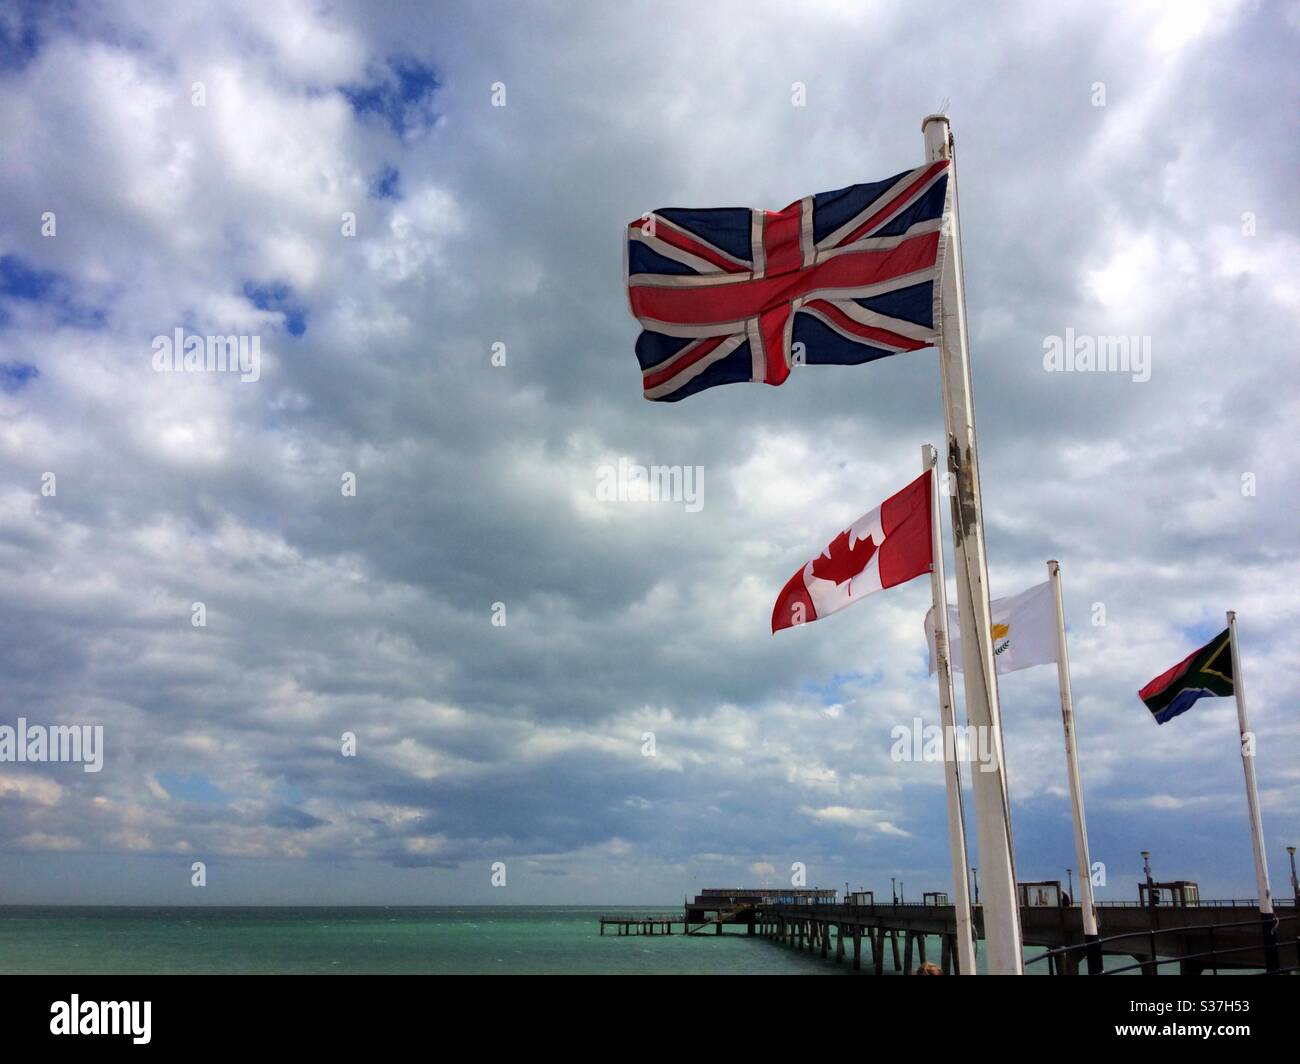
<point>839,279</point>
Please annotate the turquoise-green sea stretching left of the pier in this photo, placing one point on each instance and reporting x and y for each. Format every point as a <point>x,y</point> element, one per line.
<point>371,941</point>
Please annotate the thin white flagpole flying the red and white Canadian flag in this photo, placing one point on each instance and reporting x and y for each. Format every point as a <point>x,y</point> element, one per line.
<point>947,717</point>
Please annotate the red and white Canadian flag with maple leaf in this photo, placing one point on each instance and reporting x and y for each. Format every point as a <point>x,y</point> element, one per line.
<point>887,547</point>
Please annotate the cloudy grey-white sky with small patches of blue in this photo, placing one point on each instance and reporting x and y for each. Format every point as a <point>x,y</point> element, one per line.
<point>345,184</point>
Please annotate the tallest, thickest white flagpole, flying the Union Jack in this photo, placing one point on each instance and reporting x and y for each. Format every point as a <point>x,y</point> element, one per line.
<point>993,808</point>
